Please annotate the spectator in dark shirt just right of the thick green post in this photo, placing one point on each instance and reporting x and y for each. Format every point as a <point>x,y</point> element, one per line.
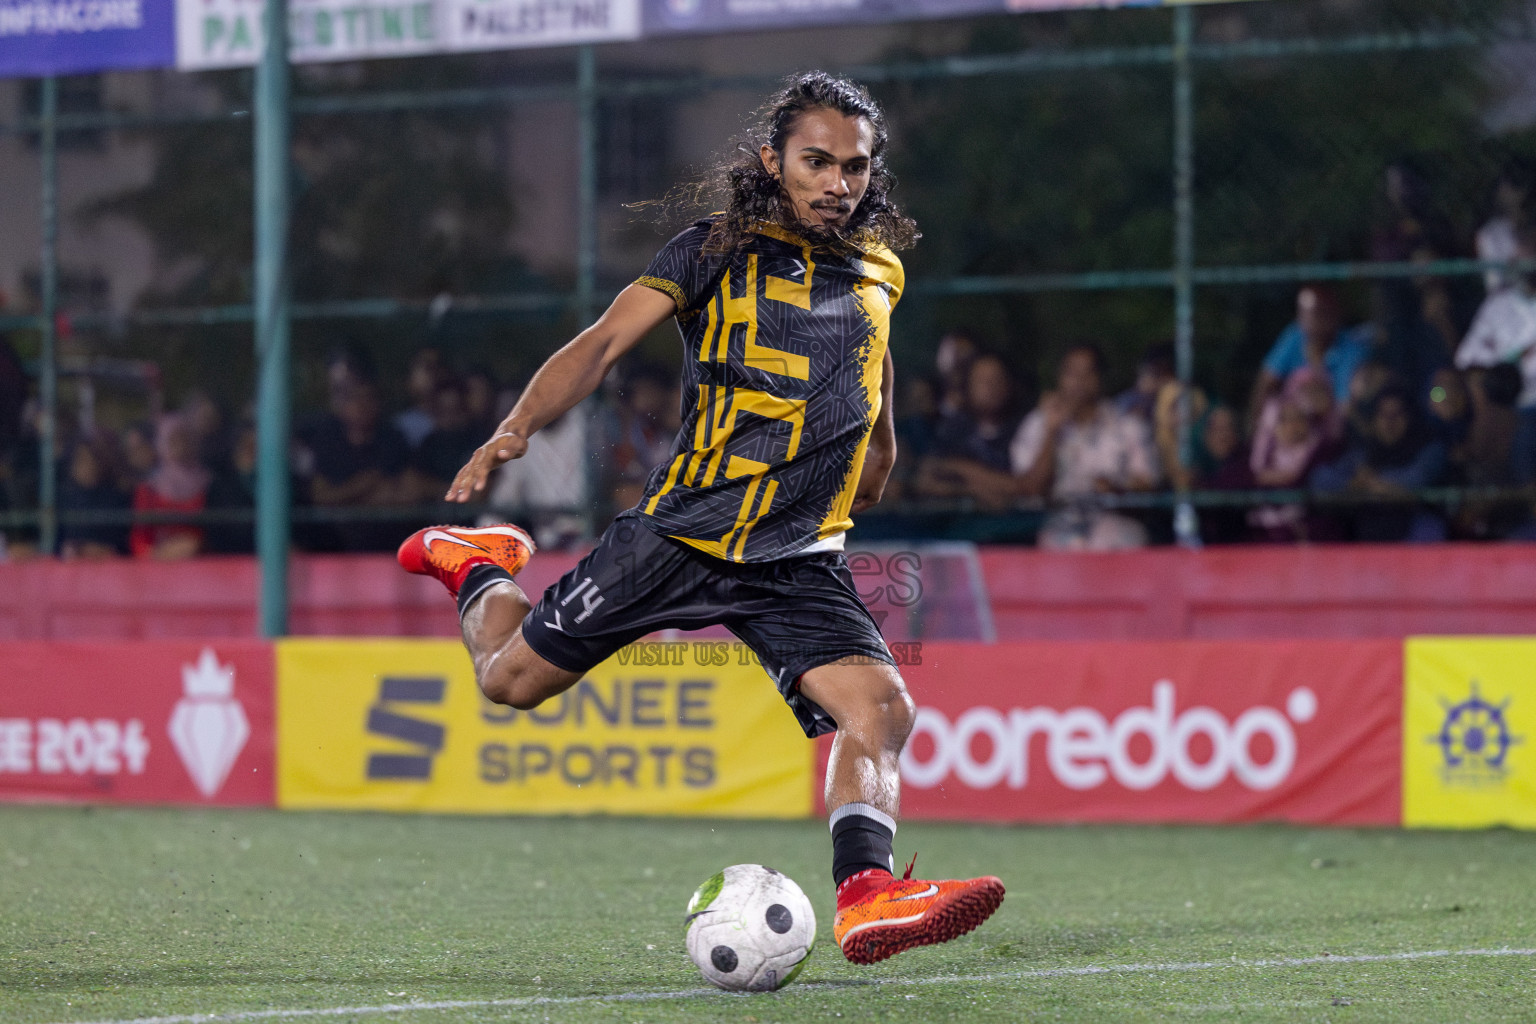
<point>359,461</point>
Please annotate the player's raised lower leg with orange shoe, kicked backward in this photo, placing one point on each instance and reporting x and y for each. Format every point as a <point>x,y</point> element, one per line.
<point>478,567</point>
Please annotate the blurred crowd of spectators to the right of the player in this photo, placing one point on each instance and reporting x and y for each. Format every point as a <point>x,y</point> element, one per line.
<point>1437,388</point>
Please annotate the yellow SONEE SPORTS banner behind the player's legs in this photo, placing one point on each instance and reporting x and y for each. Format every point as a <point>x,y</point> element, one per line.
<point>660,730</point>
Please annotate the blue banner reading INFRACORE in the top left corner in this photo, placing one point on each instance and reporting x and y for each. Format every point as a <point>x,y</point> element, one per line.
<point>62,38</point>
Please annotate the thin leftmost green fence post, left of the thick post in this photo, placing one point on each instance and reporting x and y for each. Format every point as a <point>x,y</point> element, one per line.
<point>48,358</point>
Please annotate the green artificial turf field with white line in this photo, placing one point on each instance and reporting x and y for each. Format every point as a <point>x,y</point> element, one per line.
<point>114,916</point>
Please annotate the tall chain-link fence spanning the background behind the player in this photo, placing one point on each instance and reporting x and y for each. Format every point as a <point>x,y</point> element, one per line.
<point>1159,185</point>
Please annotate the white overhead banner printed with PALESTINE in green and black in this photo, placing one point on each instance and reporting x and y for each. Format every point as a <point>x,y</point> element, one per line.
<point>228,33</point>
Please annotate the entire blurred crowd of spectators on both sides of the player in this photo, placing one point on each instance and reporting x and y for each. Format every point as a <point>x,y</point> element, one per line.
<point>1432,386</point>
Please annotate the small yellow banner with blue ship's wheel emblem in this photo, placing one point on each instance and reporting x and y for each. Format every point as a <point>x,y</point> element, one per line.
<point>1469,733</point>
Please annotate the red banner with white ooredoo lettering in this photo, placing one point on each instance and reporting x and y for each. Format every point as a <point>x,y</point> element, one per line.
<point>1179,732</point>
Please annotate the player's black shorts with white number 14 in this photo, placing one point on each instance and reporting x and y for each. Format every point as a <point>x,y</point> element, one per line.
<point>795,613</point>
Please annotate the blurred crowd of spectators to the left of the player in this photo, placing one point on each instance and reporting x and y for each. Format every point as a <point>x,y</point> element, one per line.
<point>360,475</point>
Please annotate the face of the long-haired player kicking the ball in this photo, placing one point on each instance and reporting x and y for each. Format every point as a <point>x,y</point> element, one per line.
<point>824,167</point>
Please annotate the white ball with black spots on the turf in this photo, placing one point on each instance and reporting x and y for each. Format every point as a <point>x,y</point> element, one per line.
<point>750,930</point>
